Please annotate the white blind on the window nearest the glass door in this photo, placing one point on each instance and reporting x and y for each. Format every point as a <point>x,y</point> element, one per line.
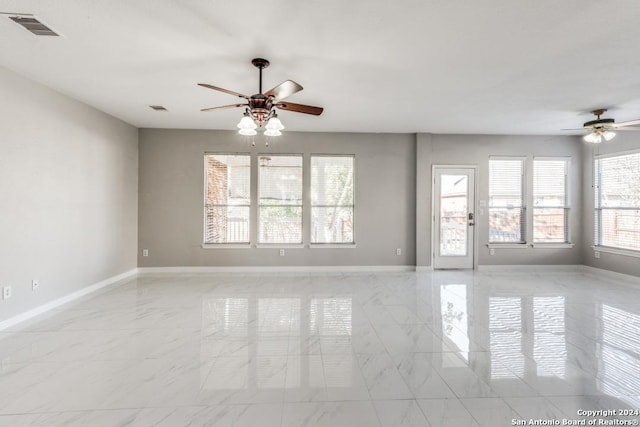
<point>506,201</point>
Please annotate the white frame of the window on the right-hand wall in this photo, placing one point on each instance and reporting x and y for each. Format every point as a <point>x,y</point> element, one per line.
<point>598,209</point>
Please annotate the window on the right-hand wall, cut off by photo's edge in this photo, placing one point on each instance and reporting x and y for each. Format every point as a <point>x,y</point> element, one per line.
<point>617,201</point>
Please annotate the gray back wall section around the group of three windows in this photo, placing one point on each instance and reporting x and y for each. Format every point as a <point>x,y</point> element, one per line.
<point>172,187</point>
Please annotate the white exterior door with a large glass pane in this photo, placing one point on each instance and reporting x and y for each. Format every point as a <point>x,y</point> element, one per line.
<point>454,217</point>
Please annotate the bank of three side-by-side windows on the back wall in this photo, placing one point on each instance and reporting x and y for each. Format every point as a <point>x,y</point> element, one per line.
<point>261,200</point>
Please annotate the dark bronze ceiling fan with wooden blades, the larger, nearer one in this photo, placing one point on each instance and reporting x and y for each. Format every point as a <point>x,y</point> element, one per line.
<point>260,108</point>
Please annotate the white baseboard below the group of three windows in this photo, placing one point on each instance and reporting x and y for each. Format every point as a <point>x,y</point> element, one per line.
<point>281,269</point>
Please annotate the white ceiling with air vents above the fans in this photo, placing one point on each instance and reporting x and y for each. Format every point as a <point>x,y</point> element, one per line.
<point>440,66</point>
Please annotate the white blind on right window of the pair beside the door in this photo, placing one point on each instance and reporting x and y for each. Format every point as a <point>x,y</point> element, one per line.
<point>550,201</point>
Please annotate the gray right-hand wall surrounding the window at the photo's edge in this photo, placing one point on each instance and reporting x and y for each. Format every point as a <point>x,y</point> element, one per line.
<point>624,141</point>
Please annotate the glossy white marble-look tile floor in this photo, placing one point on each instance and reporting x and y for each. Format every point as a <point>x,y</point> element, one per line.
<point>391,349</point>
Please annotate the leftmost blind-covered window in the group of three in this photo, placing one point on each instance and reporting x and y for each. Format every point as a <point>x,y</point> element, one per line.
<point>227,198</point>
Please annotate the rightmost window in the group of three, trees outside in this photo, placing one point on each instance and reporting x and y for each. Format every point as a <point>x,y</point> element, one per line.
<point>332,199</point>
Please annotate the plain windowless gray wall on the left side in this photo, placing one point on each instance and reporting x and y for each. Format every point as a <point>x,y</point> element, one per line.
<point>68,194</point>
